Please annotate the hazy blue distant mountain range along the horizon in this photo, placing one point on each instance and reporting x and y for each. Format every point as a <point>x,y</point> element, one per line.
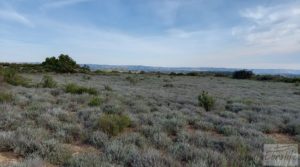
<point>285,72</point>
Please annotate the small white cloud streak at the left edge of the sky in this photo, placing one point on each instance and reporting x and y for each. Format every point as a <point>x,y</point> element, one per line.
<point>13,16</point>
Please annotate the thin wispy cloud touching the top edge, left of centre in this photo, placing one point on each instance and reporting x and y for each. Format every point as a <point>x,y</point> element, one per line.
<point>61,3</point>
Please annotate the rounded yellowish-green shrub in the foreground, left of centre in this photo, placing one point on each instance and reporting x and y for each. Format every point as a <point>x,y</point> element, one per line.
<point>113,124</point>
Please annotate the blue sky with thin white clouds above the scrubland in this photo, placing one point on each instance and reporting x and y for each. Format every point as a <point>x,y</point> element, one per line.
<point>170,33</point>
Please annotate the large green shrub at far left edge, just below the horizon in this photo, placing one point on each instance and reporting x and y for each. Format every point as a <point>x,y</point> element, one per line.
<point>12,77</point>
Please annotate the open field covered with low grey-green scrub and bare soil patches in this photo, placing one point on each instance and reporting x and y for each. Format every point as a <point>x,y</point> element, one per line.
<point>166,126</point>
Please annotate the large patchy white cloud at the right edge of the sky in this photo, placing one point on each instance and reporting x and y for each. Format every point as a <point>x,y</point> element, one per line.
<point>271,26</point>
